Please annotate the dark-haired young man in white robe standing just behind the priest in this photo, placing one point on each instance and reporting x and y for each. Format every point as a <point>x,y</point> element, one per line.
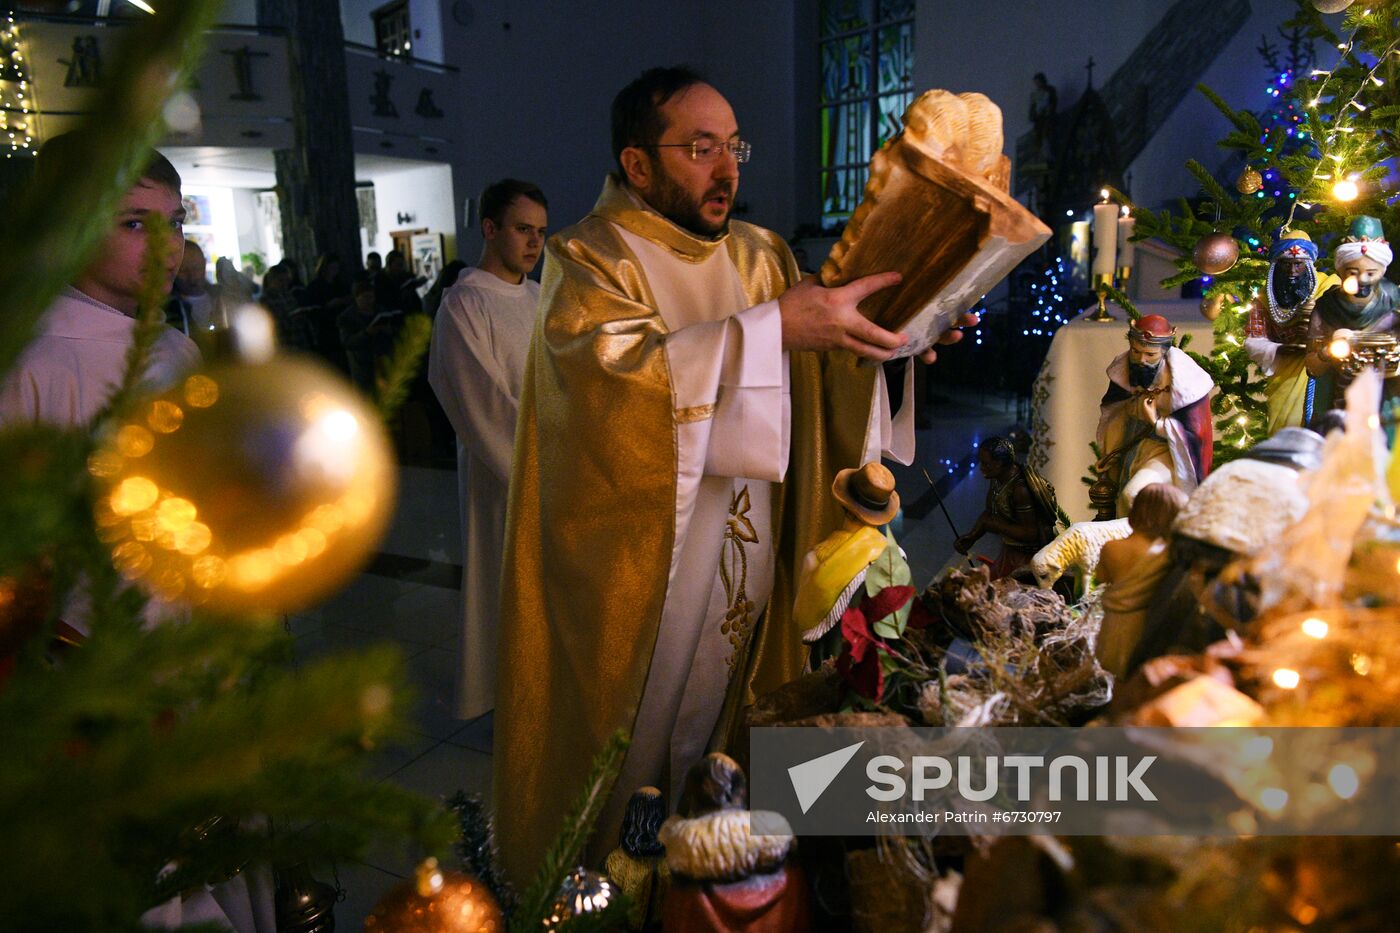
<point>477,366</point>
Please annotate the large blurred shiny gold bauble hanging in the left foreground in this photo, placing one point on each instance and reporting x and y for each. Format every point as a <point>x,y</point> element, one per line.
<point>247,488</point>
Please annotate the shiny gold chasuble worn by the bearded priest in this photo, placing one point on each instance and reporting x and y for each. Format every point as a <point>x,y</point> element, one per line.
<point>607,499</point>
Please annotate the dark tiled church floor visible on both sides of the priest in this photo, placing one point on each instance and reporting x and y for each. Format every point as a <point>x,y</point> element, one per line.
<point>411,595</point>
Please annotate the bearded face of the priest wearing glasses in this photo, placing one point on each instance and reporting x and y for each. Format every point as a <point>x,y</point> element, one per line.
<point>695,195</point>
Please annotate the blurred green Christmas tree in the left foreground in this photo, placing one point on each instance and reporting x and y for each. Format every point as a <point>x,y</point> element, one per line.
<point>149,761</point>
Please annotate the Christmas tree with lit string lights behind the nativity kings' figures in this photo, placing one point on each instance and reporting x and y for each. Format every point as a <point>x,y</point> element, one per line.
<point>1314,162</point>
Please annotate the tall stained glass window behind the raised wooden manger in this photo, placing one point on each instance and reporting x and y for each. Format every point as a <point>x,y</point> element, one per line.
<point>867,60</point>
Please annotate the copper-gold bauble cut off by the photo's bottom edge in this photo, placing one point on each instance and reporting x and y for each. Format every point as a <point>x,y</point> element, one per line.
<point>437,901</point>
